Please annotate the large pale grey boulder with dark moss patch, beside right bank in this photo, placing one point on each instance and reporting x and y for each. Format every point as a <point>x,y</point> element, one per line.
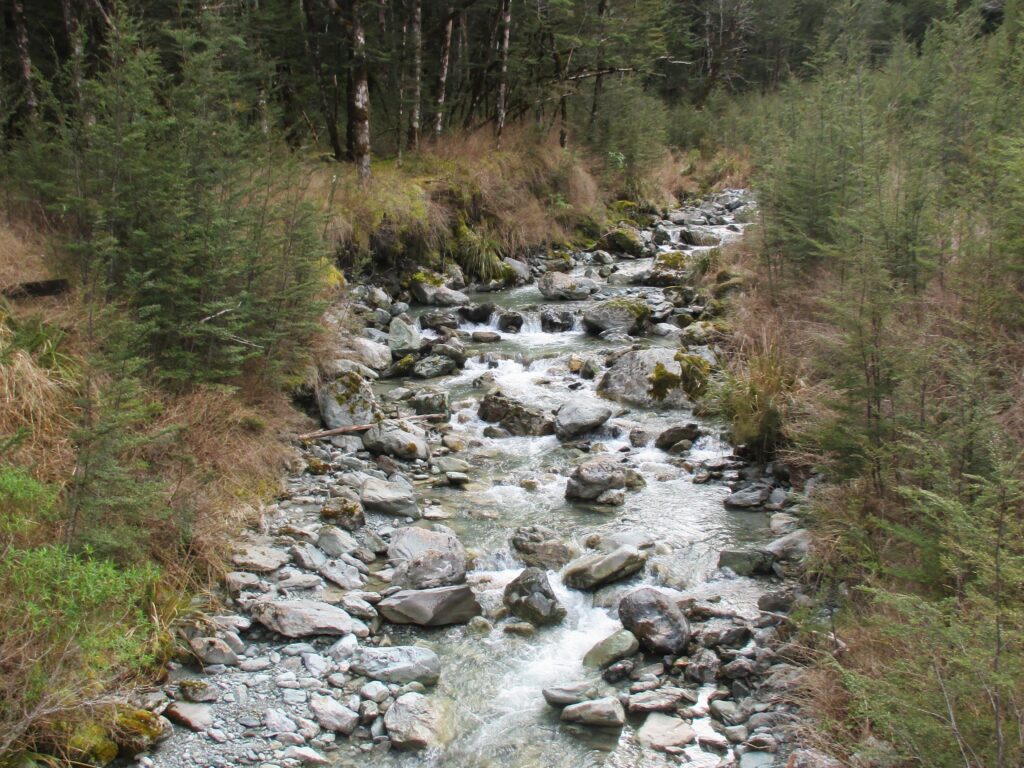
<point>646,377</point>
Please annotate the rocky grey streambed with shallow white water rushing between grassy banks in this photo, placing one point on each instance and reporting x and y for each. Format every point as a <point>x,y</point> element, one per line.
<point>536,557</point>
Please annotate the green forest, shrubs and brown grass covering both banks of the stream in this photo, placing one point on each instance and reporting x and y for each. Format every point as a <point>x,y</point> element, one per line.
<point>192,185</point>
